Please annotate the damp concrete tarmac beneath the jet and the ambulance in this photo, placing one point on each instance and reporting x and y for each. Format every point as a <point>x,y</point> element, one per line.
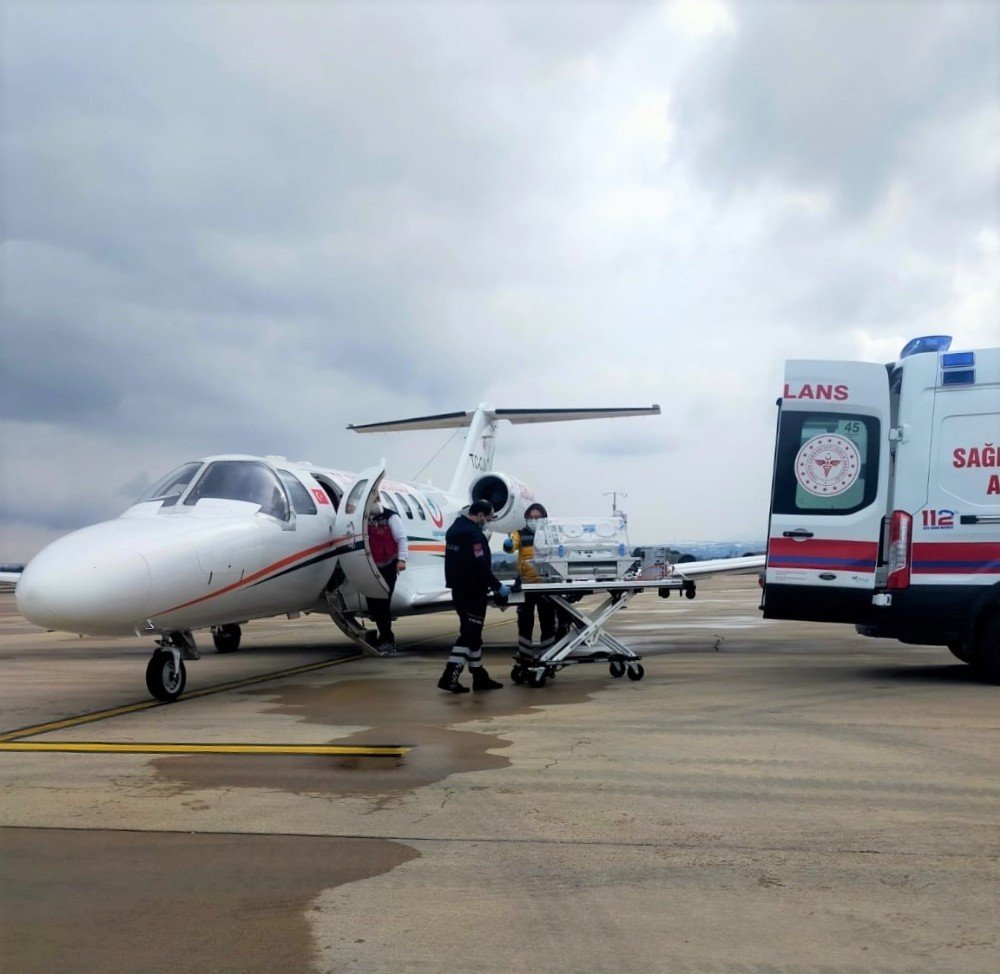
<point>772,797</point>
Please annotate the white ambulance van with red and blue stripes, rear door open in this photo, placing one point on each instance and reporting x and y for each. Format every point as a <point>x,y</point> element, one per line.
<point>885,499</point>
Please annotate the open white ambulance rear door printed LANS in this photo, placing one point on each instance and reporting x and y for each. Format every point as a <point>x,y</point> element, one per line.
<point>829,491</point>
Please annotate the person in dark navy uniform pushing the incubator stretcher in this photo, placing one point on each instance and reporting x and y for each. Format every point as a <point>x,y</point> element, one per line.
<point>469,574</point>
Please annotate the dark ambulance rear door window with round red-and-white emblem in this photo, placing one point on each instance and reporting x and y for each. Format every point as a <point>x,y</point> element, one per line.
<point>826,464</point>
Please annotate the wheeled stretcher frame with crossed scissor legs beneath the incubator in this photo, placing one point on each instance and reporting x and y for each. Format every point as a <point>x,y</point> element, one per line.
<point>586,640</point>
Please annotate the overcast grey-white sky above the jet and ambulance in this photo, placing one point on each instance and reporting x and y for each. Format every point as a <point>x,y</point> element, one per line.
<point>237,227</point>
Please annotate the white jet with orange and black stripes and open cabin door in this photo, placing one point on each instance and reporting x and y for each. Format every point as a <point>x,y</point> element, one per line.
<point>226,539</point>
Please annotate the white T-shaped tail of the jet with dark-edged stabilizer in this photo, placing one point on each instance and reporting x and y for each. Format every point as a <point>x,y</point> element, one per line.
<point>477,453</point>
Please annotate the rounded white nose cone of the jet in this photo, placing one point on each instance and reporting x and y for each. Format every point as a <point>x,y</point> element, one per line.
<point>78,585</point>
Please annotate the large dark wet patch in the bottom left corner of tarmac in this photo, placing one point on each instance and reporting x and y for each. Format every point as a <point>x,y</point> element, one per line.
<point>121,902</point>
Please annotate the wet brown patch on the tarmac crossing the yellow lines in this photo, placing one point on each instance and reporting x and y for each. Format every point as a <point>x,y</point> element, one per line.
<point>396,709</point>
